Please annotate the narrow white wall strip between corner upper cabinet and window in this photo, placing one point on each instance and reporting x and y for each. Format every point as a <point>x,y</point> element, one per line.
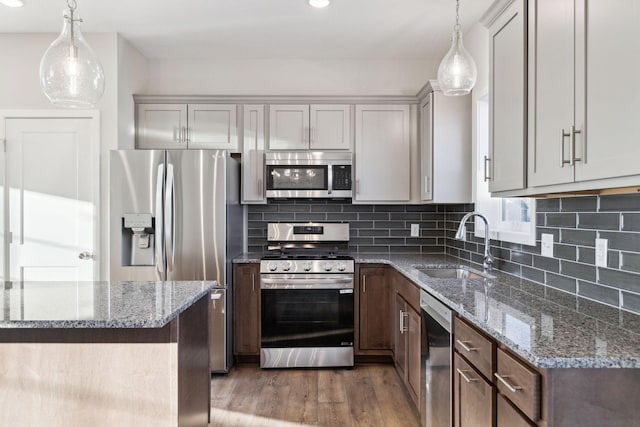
<point>476,41</point>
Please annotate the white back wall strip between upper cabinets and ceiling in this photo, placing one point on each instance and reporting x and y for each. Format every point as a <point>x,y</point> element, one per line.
<point>289,77</point>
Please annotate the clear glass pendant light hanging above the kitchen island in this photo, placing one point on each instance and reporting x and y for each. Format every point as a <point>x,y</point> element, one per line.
<point>70,73</point>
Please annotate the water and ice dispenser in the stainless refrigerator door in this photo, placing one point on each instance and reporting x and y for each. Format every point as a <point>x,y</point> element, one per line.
<point>138,240</point>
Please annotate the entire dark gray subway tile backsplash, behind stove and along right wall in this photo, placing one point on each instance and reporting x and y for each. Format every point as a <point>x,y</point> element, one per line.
<point>575,223</point>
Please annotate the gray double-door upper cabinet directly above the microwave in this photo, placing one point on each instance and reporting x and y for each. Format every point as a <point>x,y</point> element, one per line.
<point>304,127</point>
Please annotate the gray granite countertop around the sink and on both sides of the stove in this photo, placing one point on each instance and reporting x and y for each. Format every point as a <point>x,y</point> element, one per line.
<point>547,327</point>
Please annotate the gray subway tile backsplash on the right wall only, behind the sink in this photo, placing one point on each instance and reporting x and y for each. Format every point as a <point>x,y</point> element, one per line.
<point>575,223</point>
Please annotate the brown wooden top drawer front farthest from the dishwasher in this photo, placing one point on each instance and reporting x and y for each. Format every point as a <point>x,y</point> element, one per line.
<point>519,383</point>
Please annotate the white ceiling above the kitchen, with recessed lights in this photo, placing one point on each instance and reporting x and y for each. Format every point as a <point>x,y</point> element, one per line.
<point>280,29</point>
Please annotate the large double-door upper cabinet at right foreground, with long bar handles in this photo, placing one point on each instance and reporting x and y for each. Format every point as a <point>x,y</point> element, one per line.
<point>583,102</point>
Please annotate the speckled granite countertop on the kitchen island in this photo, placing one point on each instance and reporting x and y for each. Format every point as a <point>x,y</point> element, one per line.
<point>97,304</point>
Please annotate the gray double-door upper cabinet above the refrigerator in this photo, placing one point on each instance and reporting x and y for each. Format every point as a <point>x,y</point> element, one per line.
<point>181,126</point>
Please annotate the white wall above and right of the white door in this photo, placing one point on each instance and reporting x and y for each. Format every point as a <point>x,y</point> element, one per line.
<point>20,89</point>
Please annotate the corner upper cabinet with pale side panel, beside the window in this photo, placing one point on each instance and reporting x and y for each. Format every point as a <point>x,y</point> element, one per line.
<point>445,147</point>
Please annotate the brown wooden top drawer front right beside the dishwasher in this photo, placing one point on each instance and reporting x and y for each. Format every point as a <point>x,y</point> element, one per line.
<point>475,347</point>
